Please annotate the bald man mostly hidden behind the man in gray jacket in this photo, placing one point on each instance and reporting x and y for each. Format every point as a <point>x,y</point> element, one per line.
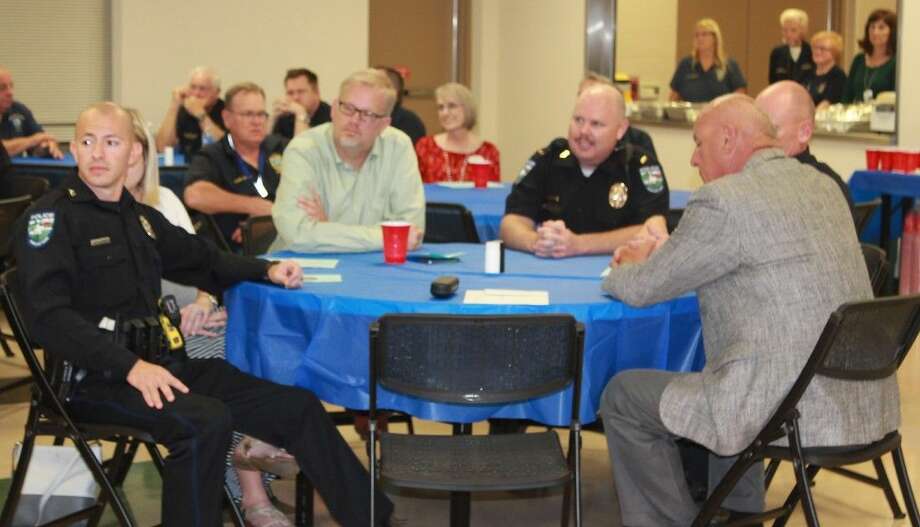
<point>792,112</point>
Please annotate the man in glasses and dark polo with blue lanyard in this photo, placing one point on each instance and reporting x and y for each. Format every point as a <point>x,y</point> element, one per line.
<point>236,178</point>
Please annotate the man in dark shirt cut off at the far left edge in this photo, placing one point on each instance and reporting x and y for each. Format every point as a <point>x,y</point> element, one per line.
<point>19,131</point>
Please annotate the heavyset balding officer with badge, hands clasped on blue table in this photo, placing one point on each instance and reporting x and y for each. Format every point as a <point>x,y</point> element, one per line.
<point>585,195</point>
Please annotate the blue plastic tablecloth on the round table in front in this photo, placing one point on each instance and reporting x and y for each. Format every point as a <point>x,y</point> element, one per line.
<point>317,337</point>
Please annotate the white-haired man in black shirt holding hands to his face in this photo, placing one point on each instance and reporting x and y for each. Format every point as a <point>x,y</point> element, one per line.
<point>195,114</point>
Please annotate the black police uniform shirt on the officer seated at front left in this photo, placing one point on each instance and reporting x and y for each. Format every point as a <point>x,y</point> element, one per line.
<point>82,260</point>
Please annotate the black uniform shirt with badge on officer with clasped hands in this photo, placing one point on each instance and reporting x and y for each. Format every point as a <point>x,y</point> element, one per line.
<point>625,189</point>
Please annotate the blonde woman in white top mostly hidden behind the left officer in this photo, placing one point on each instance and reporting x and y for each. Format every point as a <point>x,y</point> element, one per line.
<point>203,326</point>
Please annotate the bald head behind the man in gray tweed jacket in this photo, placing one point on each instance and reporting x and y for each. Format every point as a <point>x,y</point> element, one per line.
<point>792,112</point>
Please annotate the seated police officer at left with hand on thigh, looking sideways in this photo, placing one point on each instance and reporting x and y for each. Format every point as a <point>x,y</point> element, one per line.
<point>91,259</point>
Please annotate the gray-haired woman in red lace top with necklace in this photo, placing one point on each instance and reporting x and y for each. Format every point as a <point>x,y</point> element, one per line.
<point>446,156</point>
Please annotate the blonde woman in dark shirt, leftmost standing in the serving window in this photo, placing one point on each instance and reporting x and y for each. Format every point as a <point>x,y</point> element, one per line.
<point>707,73</point>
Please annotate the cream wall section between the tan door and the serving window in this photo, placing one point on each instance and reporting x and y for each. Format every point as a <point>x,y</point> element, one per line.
<point>528,58</point>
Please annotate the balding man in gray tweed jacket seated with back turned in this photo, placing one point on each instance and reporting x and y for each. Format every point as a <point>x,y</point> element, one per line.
<point>768,246</point>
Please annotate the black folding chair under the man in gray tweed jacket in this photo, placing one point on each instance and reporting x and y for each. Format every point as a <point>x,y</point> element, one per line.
<point>862,341</point>
